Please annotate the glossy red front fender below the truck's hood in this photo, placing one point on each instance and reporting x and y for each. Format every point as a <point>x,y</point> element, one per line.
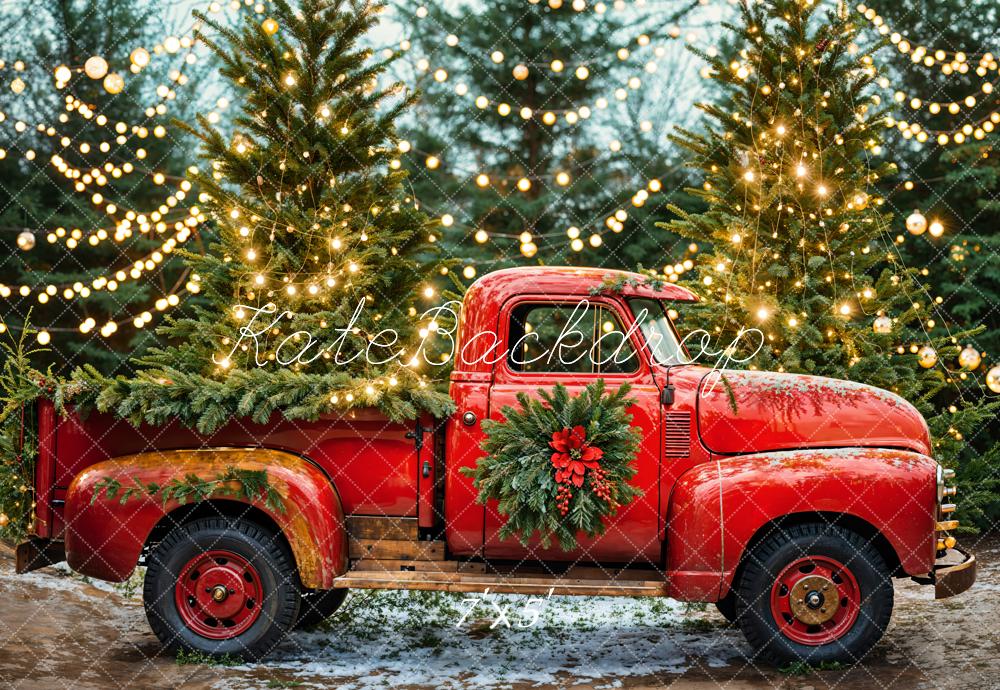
<point>717,508</point>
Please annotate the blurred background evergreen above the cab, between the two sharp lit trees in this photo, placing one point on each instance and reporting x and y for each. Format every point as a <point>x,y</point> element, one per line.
<point>533,143</point>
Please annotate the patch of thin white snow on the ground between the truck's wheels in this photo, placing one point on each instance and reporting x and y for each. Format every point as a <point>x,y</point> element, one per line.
<point>390,638</point>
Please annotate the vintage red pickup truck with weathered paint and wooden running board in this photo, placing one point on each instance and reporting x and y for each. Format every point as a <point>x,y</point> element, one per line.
<point>790,501</point>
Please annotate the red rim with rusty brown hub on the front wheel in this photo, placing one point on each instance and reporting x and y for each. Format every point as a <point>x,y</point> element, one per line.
<point>815,600</point>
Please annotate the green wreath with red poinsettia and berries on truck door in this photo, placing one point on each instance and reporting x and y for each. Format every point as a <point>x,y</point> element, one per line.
<point>559,465</point>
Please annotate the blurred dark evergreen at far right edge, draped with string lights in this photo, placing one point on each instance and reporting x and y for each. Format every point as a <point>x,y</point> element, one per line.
<point>942,134</point>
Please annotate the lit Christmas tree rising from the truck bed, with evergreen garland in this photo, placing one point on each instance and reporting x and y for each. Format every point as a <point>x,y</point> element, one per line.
<point>323,268</point>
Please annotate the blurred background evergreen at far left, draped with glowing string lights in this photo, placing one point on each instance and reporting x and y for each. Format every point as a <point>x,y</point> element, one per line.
<point>92,179</point>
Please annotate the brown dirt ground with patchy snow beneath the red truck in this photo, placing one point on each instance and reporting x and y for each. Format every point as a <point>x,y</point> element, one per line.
<point>58,630</point>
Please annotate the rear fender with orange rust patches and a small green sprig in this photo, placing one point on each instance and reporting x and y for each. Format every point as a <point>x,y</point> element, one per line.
<point>104,537</point>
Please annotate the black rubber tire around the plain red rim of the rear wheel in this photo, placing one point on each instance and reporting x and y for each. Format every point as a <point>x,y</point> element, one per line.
<point>269,562</point>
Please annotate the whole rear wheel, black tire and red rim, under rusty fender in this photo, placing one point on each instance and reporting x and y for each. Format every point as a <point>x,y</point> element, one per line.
<point>221,587</point>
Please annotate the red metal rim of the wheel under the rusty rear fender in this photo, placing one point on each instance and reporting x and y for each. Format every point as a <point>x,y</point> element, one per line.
<point>218,594</point>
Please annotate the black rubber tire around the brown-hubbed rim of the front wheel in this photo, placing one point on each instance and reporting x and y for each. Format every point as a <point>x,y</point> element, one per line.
<point>767,562</point>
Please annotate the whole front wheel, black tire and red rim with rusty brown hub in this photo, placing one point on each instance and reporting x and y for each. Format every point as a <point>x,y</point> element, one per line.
<point>814,593</point>
